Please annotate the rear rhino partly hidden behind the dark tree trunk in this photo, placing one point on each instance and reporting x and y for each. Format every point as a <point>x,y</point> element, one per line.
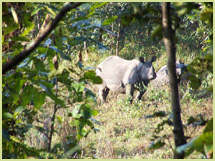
<point>163,75</point>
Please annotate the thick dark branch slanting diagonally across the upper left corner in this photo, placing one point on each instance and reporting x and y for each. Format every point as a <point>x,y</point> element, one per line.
<point>35,43</point>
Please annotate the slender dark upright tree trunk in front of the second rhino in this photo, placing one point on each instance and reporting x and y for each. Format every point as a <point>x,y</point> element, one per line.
<point>169,42</point>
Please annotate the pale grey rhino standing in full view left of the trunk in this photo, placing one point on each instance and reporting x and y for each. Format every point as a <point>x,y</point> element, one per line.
<point>118,74</point>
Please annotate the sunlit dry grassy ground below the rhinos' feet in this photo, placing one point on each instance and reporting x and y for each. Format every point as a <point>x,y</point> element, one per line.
<point>125,131</point>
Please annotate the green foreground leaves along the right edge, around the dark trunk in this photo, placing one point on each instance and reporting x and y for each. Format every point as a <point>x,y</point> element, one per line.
<point>197,69</point>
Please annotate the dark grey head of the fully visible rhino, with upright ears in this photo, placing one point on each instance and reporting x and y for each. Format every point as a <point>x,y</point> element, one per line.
<point>146,70</point>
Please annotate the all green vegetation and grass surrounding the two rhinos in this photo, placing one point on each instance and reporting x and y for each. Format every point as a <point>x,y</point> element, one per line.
<point>49,103</point>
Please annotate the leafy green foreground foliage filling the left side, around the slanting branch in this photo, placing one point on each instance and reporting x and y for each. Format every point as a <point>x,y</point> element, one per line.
<point>27,88</point>
